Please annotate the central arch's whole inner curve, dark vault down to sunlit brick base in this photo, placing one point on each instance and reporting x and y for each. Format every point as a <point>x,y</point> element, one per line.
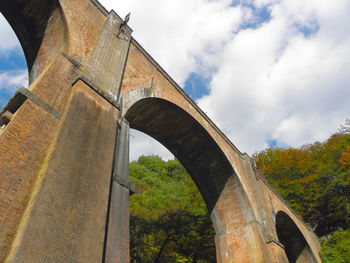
<point>237,230</point>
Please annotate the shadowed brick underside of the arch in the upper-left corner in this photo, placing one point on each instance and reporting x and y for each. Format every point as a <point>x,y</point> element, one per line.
<point>39,25</point>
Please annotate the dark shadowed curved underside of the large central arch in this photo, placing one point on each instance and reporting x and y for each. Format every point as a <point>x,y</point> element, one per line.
<point>192,145</point>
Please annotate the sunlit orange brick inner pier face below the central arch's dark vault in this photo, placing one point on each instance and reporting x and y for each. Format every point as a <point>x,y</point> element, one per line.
<point>238,234</point>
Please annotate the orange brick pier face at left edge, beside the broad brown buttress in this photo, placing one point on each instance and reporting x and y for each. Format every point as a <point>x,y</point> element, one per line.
<point>23,145</point>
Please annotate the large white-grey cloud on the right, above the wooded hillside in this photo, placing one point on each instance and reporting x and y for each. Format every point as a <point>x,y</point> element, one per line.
<point>276,83</point>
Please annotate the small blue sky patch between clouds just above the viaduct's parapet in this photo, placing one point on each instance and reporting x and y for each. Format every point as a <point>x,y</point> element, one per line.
<point>196,86</point>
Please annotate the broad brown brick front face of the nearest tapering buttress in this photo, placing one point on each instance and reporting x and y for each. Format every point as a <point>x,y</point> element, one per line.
<point>65,219</point>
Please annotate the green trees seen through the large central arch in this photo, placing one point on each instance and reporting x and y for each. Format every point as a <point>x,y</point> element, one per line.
<point>169,220</point>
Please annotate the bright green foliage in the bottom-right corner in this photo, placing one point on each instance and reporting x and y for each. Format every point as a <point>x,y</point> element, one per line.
<point>336,249</point>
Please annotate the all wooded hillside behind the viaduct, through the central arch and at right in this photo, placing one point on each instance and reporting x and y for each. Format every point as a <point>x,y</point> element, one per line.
<point>170,223</point>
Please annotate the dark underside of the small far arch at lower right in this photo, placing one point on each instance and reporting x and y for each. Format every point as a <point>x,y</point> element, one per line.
<point>295,245</point>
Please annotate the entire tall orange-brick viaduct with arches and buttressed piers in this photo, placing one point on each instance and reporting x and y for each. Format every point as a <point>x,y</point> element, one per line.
<point>64,187</point>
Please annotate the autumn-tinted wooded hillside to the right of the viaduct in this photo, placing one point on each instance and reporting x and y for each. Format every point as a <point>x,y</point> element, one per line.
<point>315,180</point>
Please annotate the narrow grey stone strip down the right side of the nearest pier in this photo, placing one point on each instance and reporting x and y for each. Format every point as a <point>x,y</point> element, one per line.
<point>117,247</point>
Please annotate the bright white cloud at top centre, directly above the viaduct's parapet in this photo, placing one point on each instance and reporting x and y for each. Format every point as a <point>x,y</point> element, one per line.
<point>183,36</point>
